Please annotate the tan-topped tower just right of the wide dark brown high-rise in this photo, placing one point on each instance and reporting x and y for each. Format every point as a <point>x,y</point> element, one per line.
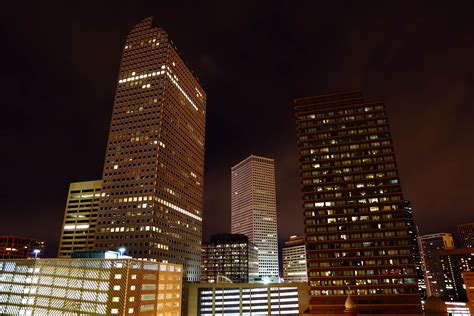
<point>429,246</point>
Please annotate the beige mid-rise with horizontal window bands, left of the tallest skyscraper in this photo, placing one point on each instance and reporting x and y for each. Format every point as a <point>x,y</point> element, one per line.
<point>80,217</point>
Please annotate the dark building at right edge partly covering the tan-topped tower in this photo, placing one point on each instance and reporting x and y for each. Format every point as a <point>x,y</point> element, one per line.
<point>454,263</point>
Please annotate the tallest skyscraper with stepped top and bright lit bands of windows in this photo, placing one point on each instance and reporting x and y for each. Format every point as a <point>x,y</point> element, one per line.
<point>153,174</point>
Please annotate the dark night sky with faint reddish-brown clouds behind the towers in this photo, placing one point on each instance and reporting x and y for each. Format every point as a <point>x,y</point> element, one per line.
<point>59,70</point>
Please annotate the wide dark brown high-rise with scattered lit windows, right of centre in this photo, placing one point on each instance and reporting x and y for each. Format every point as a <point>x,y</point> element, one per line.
<point>359,232</point>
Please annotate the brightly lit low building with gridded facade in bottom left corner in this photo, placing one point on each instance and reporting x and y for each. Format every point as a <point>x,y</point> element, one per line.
<point>89,287</point>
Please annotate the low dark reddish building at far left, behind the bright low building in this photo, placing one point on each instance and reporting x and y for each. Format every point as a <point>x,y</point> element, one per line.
<point>16,247</point>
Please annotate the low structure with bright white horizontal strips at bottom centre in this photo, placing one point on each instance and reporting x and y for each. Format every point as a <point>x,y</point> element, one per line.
<point>246,299</point>
